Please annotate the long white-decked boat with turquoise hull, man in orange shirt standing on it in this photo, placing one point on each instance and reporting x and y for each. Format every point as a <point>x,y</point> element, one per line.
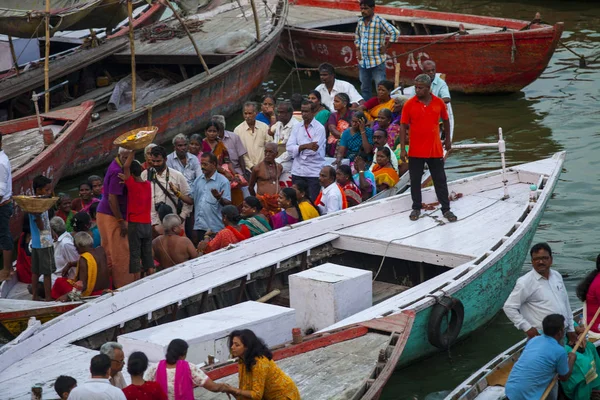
<point>473,262</point>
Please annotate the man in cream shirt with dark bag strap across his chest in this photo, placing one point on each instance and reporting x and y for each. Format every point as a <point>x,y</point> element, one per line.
<point>164,200</point>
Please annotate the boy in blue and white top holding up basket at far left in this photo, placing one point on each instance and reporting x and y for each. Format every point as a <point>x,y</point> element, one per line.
<point>42,244</point>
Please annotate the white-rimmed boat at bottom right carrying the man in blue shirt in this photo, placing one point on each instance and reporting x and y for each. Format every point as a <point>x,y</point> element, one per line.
<point>489,381</point>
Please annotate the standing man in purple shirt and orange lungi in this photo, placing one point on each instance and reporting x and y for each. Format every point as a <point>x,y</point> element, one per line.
<point>110,217</point>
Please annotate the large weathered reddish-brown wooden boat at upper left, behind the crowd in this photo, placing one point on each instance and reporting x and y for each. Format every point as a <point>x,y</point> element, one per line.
<point>232,78</point>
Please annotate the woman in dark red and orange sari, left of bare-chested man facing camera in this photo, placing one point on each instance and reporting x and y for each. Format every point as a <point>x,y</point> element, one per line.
<point>213,144</point>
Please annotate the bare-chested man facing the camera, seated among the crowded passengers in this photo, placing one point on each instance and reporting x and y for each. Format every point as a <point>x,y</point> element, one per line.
<point>265,176</point>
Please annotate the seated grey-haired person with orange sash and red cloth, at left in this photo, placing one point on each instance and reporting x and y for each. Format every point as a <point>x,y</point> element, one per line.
<point>91,277</point>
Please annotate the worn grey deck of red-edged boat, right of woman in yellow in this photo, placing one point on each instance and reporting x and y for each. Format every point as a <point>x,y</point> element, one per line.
<point>349,362</point>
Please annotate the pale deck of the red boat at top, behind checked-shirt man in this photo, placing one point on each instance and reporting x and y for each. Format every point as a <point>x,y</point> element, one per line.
<point>307,17</point>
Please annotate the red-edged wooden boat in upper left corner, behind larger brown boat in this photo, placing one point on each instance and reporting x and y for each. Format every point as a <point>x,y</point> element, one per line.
<point>77,56</point>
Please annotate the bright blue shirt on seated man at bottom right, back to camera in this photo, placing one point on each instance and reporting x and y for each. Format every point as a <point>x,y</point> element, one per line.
<point>541,359</point>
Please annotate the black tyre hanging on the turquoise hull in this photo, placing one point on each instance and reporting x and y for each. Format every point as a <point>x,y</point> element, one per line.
<point>438,318</point>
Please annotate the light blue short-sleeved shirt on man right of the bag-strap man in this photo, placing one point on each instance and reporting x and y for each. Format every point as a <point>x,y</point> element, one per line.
<point>207,210</point>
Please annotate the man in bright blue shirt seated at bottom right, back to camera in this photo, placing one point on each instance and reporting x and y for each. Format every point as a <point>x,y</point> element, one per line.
<point>543,357</point>
